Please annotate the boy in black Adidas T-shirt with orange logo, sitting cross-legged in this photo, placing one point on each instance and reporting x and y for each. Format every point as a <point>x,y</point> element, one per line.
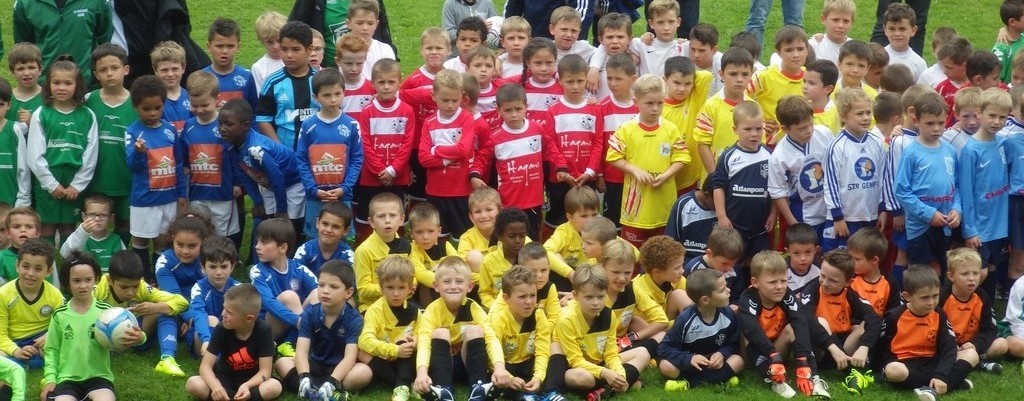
<point>240,359</point>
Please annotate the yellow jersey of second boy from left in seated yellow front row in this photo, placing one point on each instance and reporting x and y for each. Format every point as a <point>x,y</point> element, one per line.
<point>438,316</point>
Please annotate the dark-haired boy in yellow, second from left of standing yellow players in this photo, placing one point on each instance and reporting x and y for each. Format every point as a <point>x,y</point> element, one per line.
<point>687,92</point>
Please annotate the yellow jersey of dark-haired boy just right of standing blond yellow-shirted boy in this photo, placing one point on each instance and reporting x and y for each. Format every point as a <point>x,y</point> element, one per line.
<point>685,116</point>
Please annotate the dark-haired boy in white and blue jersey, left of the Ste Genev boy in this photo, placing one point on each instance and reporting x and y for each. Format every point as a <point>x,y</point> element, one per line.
<point>795,175</point>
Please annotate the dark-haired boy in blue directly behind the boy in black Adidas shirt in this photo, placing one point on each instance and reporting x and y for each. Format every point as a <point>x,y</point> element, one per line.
<point>207,300</point>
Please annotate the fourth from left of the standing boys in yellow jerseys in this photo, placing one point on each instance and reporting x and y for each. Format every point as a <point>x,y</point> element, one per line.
<point>772,84</point>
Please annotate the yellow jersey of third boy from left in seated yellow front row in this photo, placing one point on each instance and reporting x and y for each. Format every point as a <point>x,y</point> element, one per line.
<point>523,342</point>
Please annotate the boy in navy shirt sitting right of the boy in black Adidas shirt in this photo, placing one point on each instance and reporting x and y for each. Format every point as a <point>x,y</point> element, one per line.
<point>325,362</point>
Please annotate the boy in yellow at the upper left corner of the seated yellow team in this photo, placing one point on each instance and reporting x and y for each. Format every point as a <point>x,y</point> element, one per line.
<point>387,215</point>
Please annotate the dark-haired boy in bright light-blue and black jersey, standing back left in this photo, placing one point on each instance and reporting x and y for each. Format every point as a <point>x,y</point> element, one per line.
<point>286,99</point>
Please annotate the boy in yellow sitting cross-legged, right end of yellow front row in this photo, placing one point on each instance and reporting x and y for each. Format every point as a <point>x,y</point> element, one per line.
<point>586,334</point>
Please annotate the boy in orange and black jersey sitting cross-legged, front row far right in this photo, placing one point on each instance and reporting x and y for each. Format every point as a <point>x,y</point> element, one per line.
<point>919,348</point>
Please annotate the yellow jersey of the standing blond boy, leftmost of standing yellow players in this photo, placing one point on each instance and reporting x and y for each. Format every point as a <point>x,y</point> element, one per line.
<point>654,150</point>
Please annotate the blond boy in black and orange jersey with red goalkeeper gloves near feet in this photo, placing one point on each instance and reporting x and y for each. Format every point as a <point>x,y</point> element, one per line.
<point>773,323</point>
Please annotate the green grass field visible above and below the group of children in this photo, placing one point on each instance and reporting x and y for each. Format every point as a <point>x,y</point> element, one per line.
<point>976,20</point>
